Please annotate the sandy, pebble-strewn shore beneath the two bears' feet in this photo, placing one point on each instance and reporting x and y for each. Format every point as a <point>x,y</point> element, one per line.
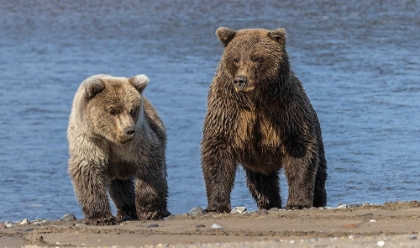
<point>392,225</point>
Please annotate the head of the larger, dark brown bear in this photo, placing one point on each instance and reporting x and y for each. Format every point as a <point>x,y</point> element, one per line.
<point>253,57</point>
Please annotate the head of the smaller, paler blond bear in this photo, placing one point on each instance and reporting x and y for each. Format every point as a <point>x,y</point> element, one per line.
<point>114,105</point>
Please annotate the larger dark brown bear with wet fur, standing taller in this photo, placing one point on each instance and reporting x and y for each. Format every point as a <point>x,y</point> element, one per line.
<point>259,115</point>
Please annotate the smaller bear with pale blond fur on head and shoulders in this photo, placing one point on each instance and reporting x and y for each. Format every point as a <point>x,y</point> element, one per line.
<point>117,142</point>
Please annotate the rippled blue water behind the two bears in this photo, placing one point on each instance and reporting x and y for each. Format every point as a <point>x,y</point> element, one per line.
<point>358,60</point>
